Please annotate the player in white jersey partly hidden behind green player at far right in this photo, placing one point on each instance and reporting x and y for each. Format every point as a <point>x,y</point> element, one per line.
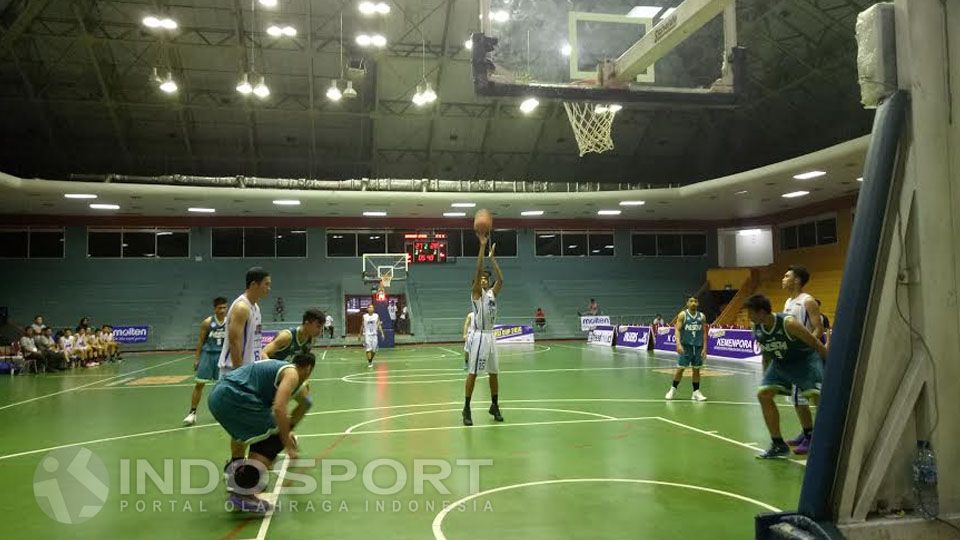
<point>805,309</point>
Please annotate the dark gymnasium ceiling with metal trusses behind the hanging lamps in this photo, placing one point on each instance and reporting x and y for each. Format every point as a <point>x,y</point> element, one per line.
<point>76,96</point>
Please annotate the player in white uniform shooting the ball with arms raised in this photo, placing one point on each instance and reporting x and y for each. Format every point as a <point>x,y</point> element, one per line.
<point>482,355</point>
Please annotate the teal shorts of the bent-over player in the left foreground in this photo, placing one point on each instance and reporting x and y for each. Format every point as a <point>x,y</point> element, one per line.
<point>241,414</point>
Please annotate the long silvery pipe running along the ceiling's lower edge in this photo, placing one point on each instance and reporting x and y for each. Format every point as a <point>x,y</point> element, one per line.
<point>363,184</point>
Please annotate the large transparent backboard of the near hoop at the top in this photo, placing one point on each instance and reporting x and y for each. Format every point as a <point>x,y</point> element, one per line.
<point>616,51</point>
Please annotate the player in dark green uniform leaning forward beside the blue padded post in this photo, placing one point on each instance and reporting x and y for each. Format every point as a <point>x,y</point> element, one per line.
<point>794,355</point>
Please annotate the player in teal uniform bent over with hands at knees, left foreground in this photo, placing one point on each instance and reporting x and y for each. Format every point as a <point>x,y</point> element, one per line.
<point>252,404</point>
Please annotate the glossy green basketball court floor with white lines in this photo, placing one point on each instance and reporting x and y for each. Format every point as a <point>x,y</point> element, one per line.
<point>589,449</point>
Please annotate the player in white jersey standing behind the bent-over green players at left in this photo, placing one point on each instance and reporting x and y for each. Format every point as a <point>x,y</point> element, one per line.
<point>244,327</point>
